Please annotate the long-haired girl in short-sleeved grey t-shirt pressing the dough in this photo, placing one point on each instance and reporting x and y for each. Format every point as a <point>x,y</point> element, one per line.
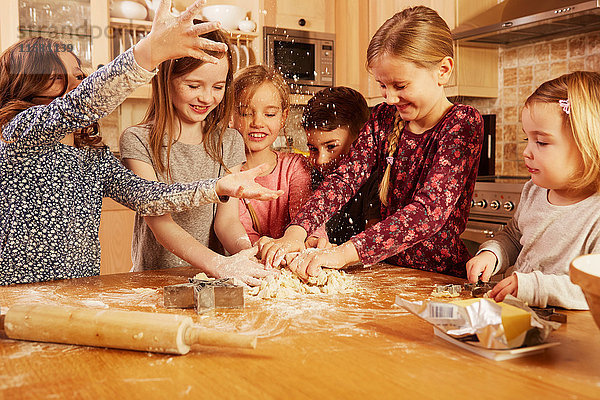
<point>185,137</point>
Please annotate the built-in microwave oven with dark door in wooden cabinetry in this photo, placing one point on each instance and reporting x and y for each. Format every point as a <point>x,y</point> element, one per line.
<point>304,58</point>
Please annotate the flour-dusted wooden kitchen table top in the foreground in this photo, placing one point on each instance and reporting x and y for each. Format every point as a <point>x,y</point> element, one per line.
<point>355,346</point>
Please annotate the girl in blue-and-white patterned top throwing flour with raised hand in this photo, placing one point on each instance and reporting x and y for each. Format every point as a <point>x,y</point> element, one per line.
<point>50,190</point>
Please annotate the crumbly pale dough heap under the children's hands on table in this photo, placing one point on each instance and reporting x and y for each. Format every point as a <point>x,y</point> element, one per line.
<point>287,284</point>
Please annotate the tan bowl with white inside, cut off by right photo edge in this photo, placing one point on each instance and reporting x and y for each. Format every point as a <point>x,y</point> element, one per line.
<point>585,271</point>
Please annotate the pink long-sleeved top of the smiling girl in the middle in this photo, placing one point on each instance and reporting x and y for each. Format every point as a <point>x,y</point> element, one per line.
<point>292,175</point>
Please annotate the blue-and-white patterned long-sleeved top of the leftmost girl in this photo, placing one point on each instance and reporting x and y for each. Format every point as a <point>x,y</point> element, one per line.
<point>51,193</point>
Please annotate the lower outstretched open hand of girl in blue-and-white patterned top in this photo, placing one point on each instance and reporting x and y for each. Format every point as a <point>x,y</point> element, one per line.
<point>242,185</point>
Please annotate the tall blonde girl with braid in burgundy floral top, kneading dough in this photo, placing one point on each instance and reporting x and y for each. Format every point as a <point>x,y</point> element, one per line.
<point>426,148</point>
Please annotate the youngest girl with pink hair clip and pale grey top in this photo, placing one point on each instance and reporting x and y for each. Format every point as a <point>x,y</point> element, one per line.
<point>557,217</point>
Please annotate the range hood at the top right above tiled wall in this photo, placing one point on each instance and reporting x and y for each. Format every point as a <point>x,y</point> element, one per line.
<point>514,22</point>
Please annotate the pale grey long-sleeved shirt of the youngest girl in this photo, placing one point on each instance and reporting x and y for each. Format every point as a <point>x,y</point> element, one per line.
<point>540,242</point>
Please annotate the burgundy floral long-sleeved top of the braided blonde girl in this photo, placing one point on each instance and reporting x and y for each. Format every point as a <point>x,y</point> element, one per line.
<point>431,184</point>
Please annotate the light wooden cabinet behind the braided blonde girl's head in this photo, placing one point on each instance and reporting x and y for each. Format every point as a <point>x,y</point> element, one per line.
<point>476,69</point>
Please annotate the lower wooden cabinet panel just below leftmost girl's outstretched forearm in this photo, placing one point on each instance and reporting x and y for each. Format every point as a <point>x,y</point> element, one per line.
<point>116,232</point>
